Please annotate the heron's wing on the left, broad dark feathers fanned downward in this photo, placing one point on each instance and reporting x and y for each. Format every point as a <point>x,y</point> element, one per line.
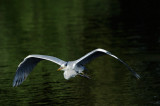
<point>27,65</point>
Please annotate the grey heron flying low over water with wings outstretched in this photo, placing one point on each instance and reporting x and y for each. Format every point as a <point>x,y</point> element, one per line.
<point>70,68</point>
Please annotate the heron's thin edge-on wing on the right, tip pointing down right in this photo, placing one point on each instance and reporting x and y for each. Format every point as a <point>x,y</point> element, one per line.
<point>99,52</point>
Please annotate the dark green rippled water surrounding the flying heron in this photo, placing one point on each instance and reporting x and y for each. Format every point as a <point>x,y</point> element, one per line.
<point>70,29</point>
